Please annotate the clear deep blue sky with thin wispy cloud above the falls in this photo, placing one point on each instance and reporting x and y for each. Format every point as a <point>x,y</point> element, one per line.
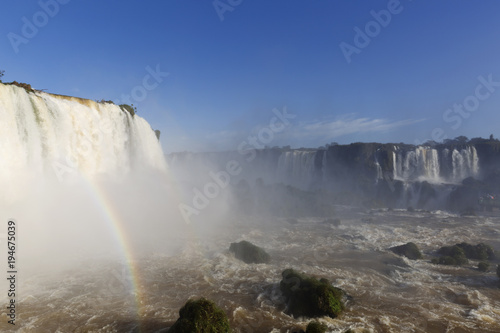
<point>229,67</point>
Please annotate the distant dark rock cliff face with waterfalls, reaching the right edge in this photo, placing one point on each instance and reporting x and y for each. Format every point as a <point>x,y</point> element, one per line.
<point>373,174</point>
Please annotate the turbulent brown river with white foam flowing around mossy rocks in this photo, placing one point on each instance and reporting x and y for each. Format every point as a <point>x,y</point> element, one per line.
<point>386,293</point>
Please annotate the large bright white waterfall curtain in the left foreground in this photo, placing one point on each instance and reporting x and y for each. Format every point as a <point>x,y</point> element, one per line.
<point>45,135</point>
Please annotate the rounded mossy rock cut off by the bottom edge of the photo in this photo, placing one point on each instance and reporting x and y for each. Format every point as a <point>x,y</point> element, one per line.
<point>201,316</point>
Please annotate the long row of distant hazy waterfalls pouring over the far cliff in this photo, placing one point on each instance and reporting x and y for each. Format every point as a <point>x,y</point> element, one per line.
<point>340,167</point>
